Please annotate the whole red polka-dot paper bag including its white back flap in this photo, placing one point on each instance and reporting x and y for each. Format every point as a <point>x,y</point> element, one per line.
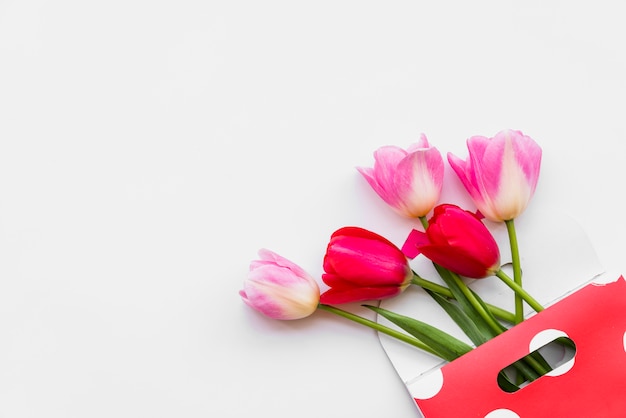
<point>560,263</point>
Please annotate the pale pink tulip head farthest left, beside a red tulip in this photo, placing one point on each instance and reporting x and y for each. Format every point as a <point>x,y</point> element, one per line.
<point>280,289</point>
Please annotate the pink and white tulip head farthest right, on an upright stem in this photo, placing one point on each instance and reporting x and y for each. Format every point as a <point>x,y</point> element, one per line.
<point>500,174</point>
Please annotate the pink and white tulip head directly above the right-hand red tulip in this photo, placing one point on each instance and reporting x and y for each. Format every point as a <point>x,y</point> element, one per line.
<point>409,181</point>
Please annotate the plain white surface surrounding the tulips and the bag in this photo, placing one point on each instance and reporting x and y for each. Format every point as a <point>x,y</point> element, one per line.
<point>148,149</point>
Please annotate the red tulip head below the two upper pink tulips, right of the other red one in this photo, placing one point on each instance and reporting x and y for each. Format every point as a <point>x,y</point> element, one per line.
<point>456,239</point>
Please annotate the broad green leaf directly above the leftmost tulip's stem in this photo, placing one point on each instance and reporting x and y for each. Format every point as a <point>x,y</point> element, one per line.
<point>446,346</point>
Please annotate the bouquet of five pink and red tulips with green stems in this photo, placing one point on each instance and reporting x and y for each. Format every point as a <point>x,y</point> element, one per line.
<point>500,175</point>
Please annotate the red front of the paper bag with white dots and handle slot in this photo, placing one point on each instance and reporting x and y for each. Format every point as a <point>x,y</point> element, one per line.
<point>592,384</point>
